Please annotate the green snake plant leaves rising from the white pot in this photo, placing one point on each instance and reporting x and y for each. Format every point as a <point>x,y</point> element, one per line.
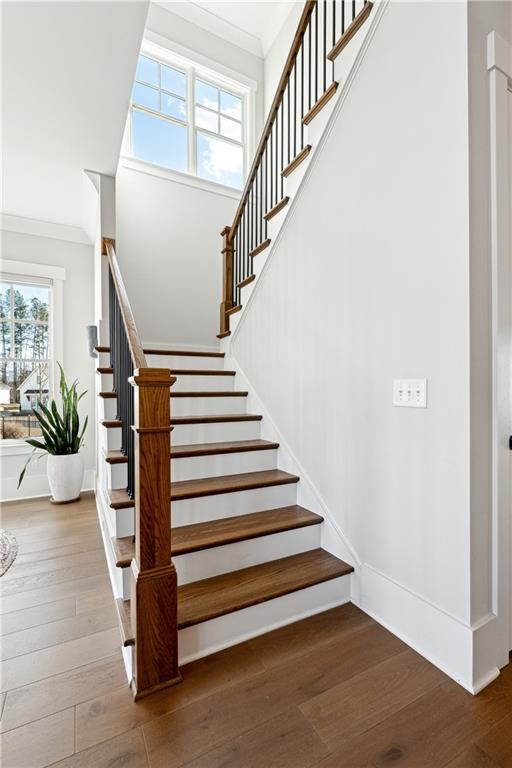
<point>61,433</point>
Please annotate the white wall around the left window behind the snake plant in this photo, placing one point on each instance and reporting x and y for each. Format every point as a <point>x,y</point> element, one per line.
<point>78,311</point>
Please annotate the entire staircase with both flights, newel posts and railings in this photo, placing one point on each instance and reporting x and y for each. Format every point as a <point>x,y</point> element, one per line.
<point>205,541</point>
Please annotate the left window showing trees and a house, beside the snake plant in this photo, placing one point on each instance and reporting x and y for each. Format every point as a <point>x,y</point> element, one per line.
<point>24,354</point>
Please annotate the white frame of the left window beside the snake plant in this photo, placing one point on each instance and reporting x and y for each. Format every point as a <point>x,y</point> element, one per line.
<point>25,272</point>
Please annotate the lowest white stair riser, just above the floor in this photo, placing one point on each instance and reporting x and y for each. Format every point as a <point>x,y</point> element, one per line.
<point>211,636</point>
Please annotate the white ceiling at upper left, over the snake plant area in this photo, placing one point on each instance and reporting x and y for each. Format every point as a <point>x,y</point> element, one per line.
<point>67,72</point>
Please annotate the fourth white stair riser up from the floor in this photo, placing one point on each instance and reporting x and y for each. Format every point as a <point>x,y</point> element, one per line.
<point>195,468</point>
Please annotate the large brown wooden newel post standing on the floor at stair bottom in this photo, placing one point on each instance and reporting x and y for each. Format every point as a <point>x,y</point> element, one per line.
<point>154,590</point>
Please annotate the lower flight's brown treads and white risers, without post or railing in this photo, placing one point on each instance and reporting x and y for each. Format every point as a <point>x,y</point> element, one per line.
<point>238,538</point>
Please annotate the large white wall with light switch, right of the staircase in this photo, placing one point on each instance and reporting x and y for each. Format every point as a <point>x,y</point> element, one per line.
<point>369,281</point>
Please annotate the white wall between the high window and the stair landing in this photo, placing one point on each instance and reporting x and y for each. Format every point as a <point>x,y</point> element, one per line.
<point>169,249</point>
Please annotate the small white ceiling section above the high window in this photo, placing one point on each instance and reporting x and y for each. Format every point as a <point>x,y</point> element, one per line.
<point>250,24</point>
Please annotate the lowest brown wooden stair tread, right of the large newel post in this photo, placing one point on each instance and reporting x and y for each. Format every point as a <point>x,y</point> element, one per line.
<point>229,592</point>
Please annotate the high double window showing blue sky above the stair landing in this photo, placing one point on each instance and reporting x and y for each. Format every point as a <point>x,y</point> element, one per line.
<point>184,120</point>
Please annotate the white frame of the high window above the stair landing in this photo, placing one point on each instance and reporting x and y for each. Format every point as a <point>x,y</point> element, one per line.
<point>195,67</point>
